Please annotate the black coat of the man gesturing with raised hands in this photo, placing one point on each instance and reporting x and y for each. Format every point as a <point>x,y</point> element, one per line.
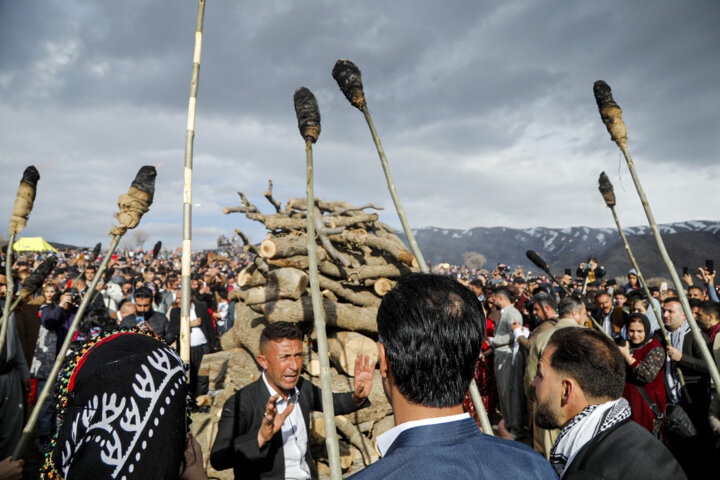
<point>236,443</point>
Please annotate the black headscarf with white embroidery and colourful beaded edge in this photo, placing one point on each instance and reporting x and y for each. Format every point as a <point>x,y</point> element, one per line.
<point>122,407</point>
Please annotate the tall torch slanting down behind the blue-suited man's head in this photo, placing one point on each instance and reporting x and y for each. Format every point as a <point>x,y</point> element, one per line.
<point>349,79</point>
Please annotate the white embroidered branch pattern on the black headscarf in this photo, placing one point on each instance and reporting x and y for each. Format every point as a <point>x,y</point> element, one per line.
<point>102,418</point>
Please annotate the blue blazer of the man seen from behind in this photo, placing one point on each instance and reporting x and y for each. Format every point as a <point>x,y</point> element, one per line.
<point>456,450</point>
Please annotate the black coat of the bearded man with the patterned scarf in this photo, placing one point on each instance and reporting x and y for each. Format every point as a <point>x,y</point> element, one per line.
<point>625,450</point>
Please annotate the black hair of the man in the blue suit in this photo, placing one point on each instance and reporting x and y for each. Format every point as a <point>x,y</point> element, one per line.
<point>431,327</point>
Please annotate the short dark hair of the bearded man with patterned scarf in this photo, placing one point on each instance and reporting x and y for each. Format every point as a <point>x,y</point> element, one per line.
<point>591,359</point>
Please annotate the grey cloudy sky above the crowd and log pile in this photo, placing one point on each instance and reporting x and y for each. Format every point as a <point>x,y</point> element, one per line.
<point>485,109</point>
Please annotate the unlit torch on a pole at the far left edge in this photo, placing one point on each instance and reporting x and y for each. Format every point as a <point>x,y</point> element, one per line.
<point>18,219</point>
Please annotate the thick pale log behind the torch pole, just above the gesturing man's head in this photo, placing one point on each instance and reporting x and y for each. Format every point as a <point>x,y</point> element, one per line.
<point>339,315</point>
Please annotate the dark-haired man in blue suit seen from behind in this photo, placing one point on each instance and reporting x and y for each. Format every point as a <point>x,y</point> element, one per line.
<point>430,330</point>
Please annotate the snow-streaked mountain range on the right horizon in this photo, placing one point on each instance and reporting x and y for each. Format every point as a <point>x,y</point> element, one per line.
<point>689,243</point>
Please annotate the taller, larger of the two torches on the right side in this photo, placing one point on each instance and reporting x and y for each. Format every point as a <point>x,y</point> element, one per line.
<point>611,115</point>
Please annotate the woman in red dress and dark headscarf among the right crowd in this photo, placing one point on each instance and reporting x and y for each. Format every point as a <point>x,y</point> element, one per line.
<point>645,359</point>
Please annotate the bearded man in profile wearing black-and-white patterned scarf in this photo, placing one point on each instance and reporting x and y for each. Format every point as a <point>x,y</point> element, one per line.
<point>578,387</point>
